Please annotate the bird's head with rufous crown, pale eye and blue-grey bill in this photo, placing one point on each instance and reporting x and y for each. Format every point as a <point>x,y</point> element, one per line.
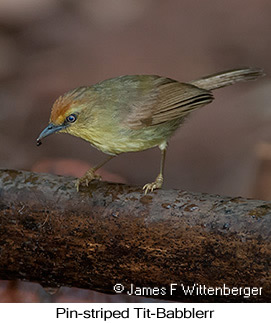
<point>67,113</point>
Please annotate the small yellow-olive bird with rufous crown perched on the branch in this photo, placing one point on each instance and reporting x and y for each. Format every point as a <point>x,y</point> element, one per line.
<point>134,112</point>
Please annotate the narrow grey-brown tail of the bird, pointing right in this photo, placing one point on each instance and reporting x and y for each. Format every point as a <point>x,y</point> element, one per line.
<point>226,78</point>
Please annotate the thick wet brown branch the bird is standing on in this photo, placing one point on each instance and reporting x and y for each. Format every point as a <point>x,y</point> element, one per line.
<point>113,233</point>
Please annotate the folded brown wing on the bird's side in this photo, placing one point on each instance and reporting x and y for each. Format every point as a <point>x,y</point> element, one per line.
<point>167,100</point>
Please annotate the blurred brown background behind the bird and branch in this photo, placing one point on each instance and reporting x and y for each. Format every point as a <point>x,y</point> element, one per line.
<point>48,47</point>
